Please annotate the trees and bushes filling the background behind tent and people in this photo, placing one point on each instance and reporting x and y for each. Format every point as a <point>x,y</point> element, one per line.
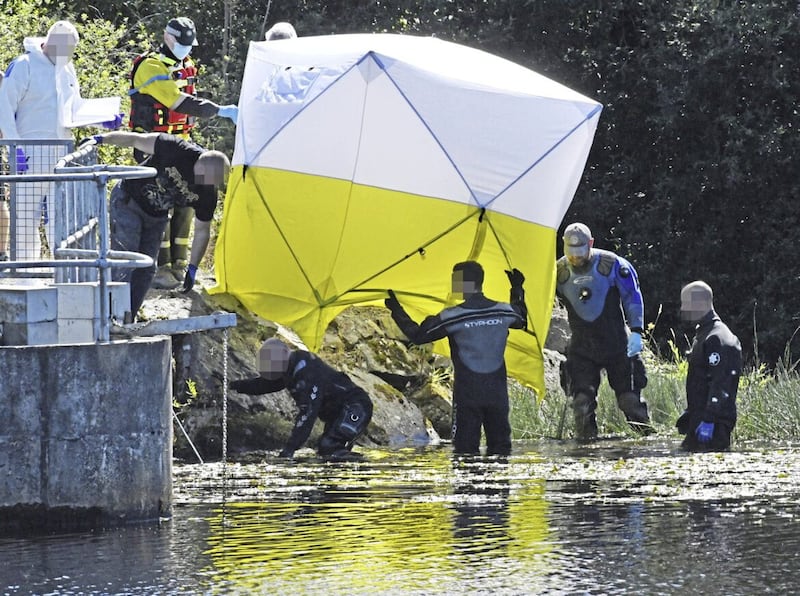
<point>692,172</point>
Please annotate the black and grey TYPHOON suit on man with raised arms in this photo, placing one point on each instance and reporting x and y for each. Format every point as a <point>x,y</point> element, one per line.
<point>477,330</point>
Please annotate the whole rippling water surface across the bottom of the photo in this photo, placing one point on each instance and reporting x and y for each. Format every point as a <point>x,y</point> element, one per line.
<point>556,517</point>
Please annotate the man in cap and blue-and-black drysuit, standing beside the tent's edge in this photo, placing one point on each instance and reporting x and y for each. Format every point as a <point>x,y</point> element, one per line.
<point>605,309</point>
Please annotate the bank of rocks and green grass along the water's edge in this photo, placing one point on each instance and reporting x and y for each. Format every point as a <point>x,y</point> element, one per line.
<point>412,386</point>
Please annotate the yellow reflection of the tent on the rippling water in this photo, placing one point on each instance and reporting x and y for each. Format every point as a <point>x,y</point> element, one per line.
<point>374,526</point>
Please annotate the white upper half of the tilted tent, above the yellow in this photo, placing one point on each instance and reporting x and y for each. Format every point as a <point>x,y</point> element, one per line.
<point>417,115</point>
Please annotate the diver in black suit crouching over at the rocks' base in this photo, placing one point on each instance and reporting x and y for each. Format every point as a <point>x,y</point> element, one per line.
<point>319,392</point>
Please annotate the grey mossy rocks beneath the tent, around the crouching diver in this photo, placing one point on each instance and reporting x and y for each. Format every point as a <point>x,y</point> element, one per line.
<point>410,386</point>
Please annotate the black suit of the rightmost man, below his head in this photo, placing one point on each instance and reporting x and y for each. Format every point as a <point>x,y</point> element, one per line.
<point>712,382</point>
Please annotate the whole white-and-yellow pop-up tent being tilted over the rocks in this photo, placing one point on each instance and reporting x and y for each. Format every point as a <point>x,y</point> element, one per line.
<point>368,162</point>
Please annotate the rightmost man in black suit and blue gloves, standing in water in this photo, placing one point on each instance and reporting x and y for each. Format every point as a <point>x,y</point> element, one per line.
<point>712,381</point>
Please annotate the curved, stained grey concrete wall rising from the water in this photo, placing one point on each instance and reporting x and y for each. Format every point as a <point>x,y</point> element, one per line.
<point>86,430</point>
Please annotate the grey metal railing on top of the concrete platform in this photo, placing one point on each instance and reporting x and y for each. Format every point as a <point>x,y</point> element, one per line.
<point>79,229</point>
